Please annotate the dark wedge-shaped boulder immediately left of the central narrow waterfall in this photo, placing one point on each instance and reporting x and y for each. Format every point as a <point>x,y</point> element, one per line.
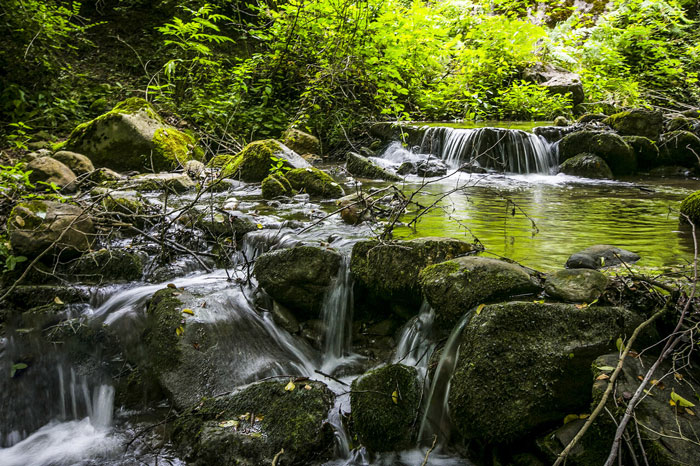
<point>298,277</point>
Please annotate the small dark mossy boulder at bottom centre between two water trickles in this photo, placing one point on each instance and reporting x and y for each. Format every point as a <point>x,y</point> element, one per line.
<point>381,422</point>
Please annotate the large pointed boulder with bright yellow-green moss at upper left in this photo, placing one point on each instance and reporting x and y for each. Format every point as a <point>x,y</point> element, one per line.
<point>132,136</point>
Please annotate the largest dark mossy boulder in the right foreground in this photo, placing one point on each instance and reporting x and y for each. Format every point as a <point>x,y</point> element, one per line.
<point>529,363</point>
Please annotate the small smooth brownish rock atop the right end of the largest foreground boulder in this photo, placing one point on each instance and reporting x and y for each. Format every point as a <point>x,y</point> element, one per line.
<point>576,285</point>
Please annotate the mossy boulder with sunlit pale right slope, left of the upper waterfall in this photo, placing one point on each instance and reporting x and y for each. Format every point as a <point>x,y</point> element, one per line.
<point>254,162</point>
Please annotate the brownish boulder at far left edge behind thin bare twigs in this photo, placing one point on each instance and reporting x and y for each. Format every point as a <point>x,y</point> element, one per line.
<point>36,225</point>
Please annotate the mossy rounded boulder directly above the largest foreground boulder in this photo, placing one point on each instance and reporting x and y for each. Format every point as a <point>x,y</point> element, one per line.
<point>454,287</point>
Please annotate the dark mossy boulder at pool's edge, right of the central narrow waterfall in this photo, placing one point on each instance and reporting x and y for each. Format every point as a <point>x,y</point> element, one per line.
<point>386,274</point>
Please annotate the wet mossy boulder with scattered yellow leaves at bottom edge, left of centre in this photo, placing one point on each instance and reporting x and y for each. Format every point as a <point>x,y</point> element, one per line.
<point>252,426</point>
